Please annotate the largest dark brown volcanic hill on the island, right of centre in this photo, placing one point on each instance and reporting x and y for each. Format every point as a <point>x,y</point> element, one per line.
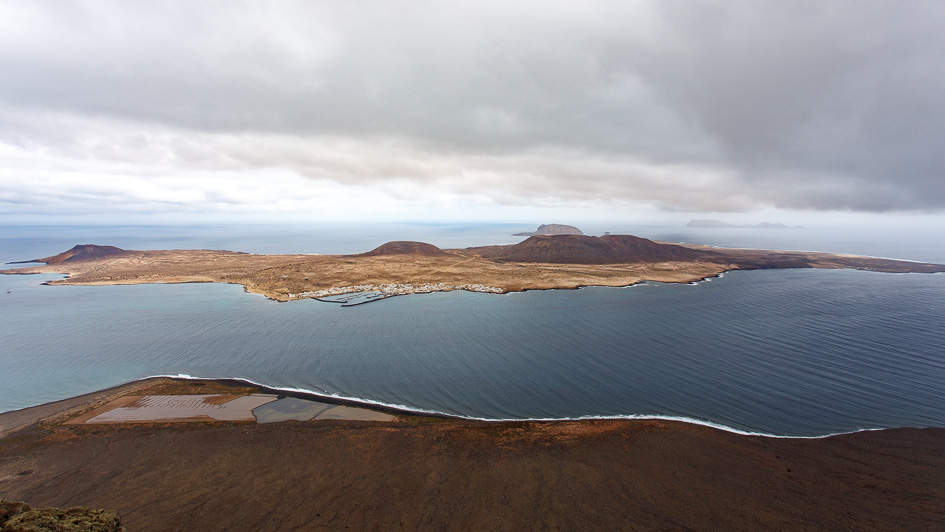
<point>583,249</point>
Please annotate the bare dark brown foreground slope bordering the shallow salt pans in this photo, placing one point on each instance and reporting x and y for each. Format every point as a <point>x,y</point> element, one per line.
<point>422,472</point>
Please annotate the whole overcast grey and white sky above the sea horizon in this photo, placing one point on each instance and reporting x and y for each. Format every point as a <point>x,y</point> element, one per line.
<point>469,110</point>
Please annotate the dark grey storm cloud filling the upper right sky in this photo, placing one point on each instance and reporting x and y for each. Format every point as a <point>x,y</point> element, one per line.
<point>819,104</point>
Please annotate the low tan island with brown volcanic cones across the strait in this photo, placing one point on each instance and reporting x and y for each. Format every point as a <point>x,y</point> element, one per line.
<point>540,262</point>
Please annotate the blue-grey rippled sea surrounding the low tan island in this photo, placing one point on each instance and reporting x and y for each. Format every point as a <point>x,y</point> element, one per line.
<point>789,352</point>
